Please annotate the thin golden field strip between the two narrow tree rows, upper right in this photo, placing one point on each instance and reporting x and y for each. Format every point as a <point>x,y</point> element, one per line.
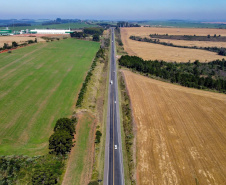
<point>195,43</point>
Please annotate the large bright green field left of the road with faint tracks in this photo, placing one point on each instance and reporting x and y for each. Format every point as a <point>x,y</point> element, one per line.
<point>38,85</point>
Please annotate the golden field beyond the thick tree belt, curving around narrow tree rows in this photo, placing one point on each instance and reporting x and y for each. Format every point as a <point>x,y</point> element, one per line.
<point>156,51</point>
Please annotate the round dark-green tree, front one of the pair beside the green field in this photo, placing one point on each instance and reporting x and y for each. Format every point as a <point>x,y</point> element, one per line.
<point>60,142</point>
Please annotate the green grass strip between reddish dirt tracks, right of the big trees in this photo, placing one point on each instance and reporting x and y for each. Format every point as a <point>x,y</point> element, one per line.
<point>77,163</point>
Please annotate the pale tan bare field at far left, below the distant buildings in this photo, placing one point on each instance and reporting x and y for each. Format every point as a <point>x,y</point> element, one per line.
<point>9,39</point>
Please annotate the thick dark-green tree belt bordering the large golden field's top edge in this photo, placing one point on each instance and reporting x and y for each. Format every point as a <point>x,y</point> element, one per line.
<point>189,76</point>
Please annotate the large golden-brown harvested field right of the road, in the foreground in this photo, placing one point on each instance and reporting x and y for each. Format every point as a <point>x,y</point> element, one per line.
<point>180,133</point>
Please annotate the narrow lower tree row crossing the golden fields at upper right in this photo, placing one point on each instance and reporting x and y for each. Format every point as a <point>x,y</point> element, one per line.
<point>220,51</point>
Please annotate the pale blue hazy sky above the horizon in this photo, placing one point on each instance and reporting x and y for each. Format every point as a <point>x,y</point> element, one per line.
<point>205,10</point>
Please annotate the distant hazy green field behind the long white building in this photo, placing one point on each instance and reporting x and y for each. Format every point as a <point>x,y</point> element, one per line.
<point>53,26</point>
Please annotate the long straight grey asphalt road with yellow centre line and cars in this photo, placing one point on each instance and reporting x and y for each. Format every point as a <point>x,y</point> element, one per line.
<point>113,170</point>
